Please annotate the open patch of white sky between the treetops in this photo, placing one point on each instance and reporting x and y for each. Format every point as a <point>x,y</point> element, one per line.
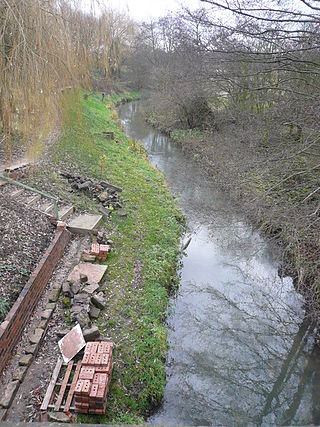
<point>142,10</point>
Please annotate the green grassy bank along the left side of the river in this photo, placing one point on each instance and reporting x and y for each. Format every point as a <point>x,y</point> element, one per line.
<point>142,266</point>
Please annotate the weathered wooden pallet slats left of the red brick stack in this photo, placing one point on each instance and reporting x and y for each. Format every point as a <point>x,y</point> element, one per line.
<point>54,399</point>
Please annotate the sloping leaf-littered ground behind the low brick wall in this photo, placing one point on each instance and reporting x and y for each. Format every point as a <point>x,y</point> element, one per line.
<point>25,234</point>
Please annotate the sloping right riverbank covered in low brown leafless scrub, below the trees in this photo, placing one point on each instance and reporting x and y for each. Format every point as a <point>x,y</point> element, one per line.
<point>268,181</point>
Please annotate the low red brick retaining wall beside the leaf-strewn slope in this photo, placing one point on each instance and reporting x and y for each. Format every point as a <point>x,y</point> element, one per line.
<point>17,318</point>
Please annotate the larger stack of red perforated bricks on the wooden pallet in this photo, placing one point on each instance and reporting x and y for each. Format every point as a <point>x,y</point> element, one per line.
<point>94,379</point>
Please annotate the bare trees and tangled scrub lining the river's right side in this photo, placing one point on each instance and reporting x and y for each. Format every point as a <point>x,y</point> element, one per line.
<point>238,83</point>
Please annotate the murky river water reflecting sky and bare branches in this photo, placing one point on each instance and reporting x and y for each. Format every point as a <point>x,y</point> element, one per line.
<point>241,351</point>
